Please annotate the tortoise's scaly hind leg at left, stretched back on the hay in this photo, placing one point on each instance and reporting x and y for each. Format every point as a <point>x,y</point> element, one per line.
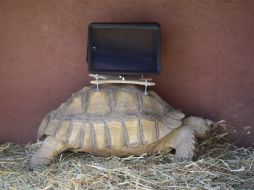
<point>49,149</point>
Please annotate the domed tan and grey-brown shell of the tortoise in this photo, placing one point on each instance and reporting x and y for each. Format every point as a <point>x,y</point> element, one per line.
<point>117,119</point>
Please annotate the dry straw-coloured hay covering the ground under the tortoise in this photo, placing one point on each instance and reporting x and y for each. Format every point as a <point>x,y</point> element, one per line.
<point>218,166</point>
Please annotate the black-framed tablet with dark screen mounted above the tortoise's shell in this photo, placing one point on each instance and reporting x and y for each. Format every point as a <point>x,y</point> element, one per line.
<point>124,48</point>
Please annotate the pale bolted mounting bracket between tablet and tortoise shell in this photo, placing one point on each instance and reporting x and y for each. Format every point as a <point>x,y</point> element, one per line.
<point>102,79</point>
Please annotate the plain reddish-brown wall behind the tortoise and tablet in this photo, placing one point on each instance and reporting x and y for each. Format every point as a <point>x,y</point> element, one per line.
<point>207,57</point>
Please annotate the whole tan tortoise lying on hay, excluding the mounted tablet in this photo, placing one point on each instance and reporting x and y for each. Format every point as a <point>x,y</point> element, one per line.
<point>117,120</point>
